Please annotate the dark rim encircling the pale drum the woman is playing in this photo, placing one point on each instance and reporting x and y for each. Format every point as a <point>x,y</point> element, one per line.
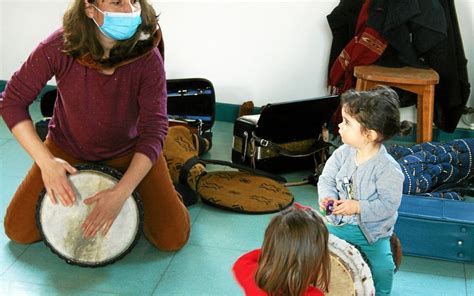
<point>114,173</point>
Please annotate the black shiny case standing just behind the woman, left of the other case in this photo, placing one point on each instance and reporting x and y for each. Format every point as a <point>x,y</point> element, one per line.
<point>192,101</point>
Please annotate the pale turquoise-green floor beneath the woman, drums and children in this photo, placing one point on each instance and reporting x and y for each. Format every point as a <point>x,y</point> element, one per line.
<point>202,267</point>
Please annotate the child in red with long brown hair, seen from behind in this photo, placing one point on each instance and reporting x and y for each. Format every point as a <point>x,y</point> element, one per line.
<point>294,258</point>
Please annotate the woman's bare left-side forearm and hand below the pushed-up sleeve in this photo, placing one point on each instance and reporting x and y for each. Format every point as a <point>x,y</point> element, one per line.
<point>53,170</point>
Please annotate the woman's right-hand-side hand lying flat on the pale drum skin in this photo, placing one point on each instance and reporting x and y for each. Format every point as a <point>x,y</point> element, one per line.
<point>108,204</point>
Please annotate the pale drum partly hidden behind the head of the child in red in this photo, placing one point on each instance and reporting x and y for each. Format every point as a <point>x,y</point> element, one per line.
<point>350,274</point>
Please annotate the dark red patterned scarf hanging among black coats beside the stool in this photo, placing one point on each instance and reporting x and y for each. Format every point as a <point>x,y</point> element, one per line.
<point>364,49</point>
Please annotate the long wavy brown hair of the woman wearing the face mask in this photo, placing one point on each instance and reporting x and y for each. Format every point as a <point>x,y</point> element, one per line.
<point>80,35</point>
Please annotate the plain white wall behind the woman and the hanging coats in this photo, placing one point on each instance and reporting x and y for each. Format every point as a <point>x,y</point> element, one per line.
<point>266,51</point>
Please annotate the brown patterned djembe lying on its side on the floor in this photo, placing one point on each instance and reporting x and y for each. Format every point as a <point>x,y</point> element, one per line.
<point>249,192</point>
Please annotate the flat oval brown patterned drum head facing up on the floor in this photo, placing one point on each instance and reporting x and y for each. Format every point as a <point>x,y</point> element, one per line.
<point>243,192</point>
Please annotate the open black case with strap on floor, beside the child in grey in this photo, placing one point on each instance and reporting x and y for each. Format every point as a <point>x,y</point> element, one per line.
<point>285,136</point>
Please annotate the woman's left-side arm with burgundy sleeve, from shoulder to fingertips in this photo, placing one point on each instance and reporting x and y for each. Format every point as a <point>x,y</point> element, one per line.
<point>21,90</point>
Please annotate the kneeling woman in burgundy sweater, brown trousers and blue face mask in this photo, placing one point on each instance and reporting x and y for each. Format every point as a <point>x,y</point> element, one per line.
<point>111,109</point>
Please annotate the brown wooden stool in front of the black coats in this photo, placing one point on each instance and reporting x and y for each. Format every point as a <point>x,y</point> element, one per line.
<point>419,81</point>
